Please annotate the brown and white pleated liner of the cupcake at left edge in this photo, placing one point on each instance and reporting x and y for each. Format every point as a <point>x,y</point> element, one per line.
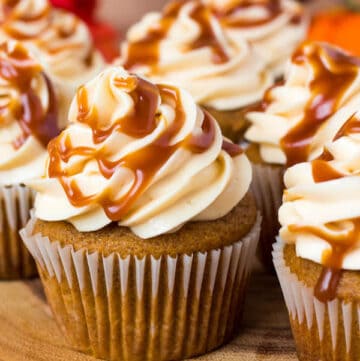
<point>15,261</point>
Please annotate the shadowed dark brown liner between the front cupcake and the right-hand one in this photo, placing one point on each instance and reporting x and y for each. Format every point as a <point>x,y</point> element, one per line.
<point>267,187</point>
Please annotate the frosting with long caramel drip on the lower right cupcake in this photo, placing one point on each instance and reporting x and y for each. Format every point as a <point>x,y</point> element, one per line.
<point>321,209</point>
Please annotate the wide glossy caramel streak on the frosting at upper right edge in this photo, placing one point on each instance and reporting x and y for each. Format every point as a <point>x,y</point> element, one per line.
<point>334,72</point>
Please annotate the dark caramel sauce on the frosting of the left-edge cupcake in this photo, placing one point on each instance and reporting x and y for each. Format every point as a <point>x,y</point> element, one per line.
<point>19,71</point>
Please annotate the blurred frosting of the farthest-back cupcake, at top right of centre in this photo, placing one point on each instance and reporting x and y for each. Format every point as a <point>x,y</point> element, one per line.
<point>273,27</point>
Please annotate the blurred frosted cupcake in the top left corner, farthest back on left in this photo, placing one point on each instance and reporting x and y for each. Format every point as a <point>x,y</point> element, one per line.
<point>58,39</point>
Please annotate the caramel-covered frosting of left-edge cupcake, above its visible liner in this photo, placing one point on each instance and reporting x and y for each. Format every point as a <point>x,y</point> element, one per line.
<point>28,115</point>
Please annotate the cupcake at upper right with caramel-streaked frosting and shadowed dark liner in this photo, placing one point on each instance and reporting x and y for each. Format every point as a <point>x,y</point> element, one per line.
<point>321,84</point>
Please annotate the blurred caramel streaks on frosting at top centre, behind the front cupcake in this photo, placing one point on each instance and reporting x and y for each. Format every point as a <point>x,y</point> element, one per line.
<point>146,51</point>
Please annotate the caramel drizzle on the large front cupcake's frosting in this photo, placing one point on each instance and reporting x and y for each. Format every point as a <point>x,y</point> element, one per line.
<point>143,163</point>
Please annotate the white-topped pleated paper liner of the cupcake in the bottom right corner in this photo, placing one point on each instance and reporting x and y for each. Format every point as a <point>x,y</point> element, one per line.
<point>322,331</point>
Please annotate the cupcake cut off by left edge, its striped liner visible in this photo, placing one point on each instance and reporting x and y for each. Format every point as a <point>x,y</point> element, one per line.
<point>28,120</point>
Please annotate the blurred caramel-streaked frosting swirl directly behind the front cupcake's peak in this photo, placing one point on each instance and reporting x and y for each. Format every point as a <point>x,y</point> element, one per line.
<point>187,45</point>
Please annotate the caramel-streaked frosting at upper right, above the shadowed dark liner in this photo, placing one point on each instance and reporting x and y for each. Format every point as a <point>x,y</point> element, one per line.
<point>321,86</point>
